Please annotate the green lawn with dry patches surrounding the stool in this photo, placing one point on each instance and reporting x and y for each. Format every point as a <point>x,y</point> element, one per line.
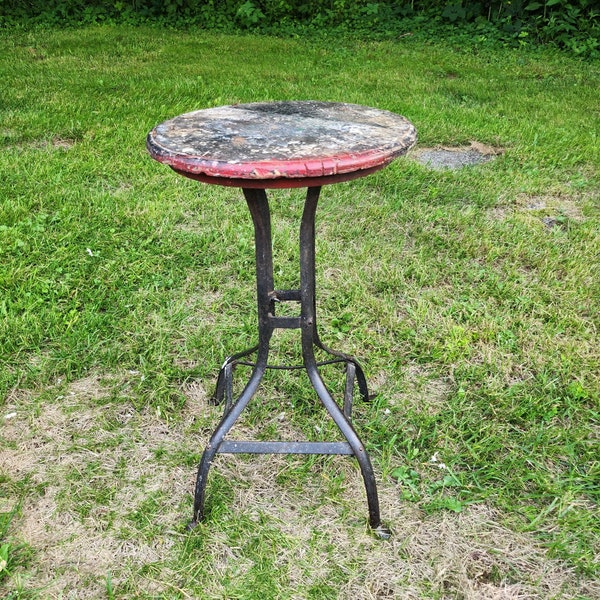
<point>471,295</point>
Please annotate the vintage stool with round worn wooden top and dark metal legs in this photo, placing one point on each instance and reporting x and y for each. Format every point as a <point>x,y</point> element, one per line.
<point>284,145</point>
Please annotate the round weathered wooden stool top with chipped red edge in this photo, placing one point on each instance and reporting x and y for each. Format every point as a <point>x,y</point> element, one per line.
<point>281,144</point>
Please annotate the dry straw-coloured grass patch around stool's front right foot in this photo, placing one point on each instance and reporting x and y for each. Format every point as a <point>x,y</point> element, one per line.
<point>470,555</point>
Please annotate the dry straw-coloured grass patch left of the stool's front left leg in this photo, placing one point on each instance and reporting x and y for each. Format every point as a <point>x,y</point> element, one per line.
<point>55,447</point>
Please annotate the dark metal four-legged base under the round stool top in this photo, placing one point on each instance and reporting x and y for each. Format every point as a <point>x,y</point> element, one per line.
<point>267,322</point>
